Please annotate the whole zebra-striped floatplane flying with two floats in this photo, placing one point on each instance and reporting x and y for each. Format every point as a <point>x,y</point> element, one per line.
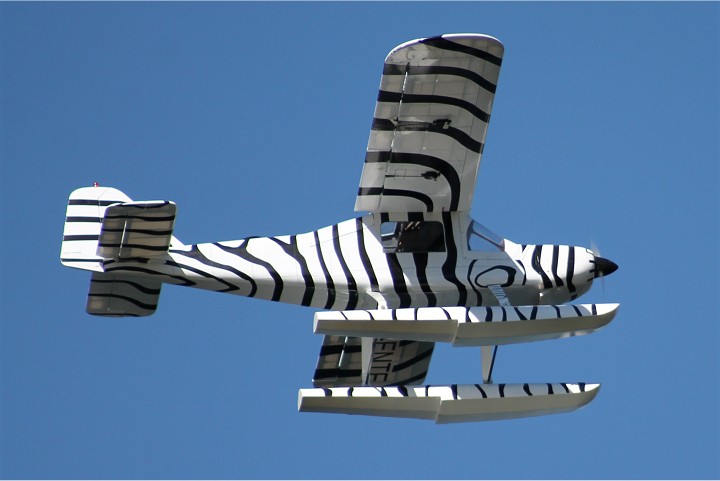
<point>414,270</point>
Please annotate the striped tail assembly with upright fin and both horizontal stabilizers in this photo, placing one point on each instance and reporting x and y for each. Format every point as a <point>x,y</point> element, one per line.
<point>104,226</point>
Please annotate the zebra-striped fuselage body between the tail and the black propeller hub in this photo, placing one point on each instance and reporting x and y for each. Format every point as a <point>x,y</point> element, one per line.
<point>381,260</point>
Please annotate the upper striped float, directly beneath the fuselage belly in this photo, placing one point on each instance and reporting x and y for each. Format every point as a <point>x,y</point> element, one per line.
<point>469,326</point>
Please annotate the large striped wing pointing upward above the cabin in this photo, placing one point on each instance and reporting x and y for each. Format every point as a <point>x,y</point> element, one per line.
<point>429,126</point>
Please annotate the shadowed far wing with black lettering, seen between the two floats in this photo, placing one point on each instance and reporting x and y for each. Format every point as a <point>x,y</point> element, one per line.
<point>391,362</point>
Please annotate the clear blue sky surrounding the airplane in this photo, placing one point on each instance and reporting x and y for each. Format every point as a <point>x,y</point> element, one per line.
<point>253,118</point>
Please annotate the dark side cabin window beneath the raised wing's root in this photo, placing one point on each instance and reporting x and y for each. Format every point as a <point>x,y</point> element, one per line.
<point>414,236</point>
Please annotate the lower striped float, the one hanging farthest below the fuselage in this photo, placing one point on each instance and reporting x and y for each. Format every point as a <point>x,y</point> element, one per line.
<point>450,404</point>
